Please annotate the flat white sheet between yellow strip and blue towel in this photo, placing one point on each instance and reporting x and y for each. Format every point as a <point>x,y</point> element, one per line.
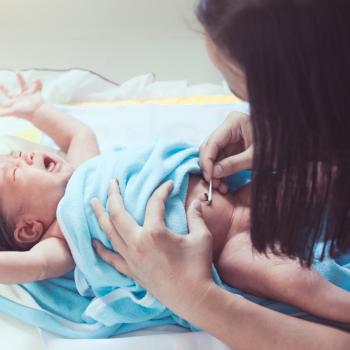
<point>142,125</point>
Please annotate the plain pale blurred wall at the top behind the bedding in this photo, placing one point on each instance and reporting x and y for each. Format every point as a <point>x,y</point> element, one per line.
<point>118,39</point>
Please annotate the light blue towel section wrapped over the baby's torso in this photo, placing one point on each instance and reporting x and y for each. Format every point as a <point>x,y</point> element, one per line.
<point>115,297</point>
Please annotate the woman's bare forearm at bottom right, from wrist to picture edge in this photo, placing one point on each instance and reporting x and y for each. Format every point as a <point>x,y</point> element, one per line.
<point>244,325</point>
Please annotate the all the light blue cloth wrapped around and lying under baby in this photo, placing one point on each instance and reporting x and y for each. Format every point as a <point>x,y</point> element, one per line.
<point>96,301</point>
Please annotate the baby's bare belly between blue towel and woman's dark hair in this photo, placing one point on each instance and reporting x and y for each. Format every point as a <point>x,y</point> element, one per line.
<point>218,215</point>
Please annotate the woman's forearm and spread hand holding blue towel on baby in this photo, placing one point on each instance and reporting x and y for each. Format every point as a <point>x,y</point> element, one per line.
<point>183,265</point>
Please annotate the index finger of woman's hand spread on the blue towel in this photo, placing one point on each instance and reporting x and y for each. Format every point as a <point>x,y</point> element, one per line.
<point>155,210</point>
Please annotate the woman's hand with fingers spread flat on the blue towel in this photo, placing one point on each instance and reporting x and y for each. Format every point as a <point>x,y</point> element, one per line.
<point>175,269</point>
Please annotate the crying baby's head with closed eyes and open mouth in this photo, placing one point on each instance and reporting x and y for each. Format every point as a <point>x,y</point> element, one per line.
<point>31,186</point>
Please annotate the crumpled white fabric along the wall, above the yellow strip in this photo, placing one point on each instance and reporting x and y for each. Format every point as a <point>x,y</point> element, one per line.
<point>76,85</point>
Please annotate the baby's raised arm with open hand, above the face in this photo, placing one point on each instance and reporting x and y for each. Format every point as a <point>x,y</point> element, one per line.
<point>74,138</point>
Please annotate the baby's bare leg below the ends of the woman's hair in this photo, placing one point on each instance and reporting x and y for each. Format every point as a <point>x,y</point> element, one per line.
<point>281,279</point>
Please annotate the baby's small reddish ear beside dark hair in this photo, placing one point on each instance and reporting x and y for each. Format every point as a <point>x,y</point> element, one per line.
<point>28,231</point>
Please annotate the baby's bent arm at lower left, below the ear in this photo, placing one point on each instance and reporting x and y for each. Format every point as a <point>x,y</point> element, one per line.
<point>47,259</point>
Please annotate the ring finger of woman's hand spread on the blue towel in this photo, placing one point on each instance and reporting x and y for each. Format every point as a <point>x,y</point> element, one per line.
<point>107,226</point>
